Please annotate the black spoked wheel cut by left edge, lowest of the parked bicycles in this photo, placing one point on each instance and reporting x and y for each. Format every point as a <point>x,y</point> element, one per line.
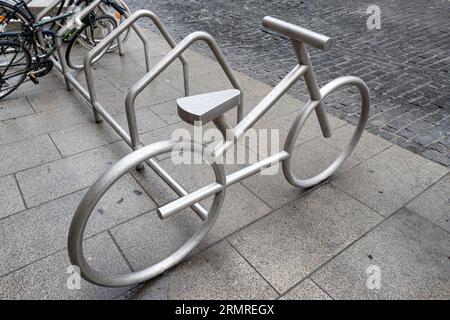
<point>15,62</point>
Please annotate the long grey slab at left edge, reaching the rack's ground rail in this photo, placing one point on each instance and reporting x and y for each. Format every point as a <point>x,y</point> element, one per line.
<point>33,125</point>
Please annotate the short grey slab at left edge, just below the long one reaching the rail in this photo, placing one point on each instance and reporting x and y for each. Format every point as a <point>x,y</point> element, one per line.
<point>27,153</point>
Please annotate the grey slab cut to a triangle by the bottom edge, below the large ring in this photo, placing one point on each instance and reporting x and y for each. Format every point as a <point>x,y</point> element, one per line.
<point>218,273</point>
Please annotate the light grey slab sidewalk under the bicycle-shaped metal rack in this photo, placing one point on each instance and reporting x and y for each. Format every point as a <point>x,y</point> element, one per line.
<point>387,208</point>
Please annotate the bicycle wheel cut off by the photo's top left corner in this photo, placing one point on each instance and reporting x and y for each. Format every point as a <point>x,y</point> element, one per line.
<point>12,19</point>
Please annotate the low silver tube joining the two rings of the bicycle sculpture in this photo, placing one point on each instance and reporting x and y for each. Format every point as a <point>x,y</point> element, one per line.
<point>175,206</point>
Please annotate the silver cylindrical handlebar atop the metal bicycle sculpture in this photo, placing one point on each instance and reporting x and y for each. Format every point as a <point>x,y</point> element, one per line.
<point>298,33</point>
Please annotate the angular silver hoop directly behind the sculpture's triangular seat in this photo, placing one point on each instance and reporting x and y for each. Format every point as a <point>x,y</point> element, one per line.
<point>137,88</point>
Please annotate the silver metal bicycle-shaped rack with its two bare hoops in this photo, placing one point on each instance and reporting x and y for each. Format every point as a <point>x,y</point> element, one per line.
<point>207,108</point>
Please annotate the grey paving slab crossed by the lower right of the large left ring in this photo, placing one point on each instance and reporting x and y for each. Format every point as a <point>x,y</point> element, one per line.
<point>163,237</point>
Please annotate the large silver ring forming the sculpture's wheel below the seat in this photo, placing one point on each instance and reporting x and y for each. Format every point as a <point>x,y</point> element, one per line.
<point>96,192</point>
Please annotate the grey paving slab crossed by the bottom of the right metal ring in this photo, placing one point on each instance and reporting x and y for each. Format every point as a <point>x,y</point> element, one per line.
<point>310,157</point>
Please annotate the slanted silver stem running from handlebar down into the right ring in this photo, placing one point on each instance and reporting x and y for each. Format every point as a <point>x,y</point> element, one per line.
<point>313,87</point>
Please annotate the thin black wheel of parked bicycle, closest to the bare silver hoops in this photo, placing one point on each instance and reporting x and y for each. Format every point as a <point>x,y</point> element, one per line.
<point>91,32</point>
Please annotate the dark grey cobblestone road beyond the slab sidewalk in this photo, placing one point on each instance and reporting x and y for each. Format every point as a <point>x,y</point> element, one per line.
<point>406,63</point>
